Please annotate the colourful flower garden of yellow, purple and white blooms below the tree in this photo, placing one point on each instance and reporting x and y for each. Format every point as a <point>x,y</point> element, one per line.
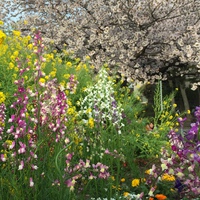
<point>67,132</point>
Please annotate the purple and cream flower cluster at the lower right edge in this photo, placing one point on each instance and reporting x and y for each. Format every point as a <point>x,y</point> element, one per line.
<point>184,160</point>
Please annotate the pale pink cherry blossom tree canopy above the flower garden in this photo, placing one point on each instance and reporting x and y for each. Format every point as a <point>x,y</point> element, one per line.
<point>142,39</point>
